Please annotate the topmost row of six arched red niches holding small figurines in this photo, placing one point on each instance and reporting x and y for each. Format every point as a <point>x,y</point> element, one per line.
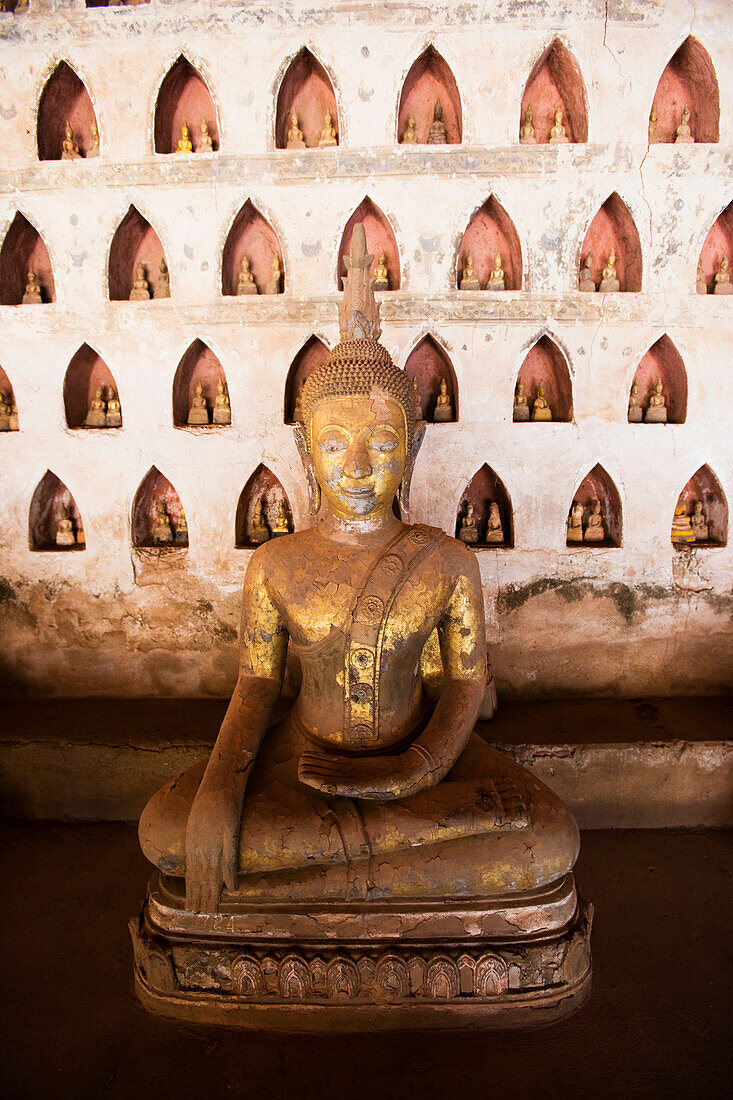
<point>554,109</point>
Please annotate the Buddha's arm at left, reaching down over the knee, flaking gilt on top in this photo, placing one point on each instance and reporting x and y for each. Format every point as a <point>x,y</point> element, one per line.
<point>213,830</point>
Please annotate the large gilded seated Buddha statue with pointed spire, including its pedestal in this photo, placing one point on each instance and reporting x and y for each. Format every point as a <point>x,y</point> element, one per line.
<point>360,849</point>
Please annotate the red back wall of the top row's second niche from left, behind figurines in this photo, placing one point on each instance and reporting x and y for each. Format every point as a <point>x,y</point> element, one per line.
<point>184,98</point>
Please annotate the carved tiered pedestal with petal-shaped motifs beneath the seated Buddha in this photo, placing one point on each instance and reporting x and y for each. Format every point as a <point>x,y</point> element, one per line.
<point>513,962</point>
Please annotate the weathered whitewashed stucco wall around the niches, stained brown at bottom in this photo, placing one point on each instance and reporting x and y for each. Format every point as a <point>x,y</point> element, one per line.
<point>639,619</point>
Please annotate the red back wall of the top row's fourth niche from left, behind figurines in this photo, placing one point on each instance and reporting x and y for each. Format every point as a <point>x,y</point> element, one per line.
<point>431,79</point>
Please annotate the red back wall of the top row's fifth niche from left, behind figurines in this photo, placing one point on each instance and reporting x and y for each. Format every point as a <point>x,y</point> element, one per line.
<point>556,82</point>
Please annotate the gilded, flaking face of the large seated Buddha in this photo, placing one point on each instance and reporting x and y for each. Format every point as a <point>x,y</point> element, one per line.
<point>359,453</point>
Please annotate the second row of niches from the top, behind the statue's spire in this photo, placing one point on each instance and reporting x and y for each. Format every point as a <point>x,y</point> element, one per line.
<point>489,257</point>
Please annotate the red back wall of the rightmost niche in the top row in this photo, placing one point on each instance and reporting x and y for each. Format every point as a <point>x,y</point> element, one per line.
<point>688,81</point>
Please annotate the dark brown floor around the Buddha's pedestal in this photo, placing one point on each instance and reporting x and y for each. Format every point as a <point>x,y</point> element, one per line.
<point>658,1025</point>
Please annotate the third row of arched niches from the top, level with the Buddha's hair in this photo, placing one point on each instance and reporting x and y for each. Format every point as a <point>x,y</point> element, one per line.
<point>543,389</point>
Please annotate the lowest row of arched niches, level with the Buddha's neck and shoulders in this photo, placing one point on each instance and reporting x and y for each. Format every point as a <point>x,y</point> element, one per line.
<point>485,518</point>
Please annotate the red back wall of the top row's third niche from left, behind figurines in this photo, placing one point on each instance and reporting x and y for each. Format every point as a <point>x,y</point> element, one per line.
<point>307,90</point>
